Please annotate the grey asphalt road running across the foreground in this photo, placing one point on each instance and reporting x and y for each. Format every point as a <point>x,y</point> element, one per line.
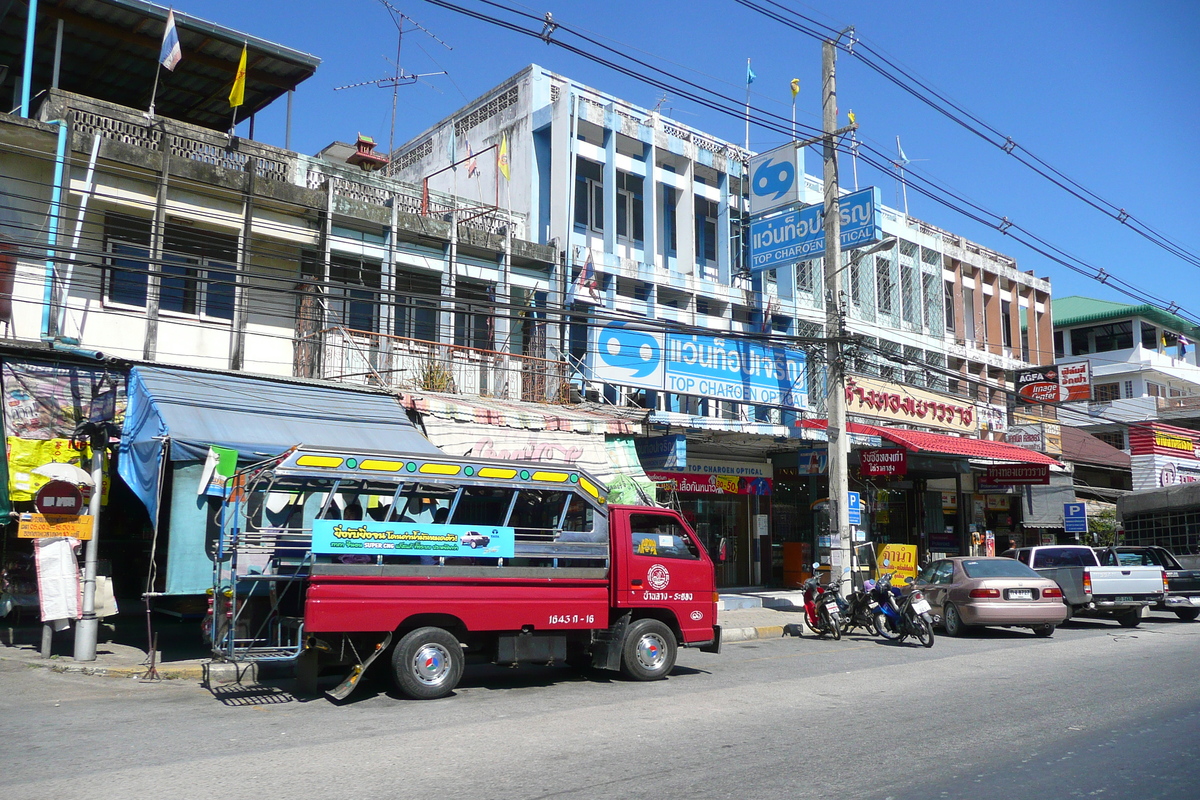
<point>1097,711</point>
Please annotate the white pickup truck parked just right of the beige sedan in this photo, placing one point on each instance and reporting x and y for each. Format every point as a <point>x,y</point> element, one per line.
<point>1091,590</point>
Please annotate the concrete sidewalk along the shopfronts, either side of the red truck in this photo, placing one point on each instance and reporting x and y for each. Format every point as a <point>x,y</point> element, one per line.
<point>182,655</point>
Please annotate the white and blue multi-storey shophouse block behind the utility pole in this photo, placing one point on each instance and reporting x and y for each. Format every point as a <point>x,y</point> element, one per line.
<point>647,218</point>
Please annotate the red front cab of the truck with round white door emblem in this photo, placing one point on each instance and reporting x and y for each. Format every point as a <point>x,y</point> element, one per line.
<point>662,566</point>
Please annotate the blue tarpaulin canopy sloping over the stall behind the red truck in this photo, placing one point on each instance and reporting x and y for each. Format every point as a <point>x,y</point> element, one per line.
<point>185,412</point>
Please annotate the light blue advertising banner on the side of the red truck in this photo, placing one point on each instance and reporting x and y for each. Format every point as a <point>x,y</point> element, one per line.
<point>370,538</point>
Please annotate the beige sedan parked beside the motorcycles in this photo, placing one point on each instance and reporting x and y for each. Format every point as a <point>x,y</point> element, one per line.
<point>970,592</point>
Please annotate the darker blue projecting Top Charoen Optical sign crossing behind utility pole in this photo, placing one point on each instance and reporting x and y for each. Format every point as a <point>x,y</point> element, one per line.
<point>800,236</point>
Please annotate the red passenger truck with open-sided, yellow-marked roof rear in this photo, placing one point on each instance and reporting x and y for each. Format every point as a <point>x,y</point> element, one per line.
<point>335,558</point>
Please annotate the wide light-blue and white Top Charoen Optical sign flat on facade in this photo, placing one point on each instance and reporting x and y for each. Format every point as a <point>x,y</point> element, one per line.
<point>729,369</point>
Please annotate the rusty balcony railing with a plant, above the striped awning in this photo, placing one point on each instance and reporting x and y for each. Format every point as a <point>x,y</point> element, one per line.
<point>403,364</point>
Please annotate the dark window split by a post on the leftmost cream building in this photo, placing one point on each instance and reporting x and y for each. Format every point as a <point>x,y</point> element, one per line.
<point>199,272</point>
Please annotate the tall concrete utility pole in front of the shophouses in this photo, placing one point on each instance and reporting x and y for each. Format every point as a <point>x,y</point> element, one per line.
<point>836,381</point>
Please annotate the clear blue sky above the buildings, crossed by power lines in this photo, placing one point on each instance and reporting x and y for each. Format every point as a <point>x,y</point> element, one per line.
<point>1103,92</point>
